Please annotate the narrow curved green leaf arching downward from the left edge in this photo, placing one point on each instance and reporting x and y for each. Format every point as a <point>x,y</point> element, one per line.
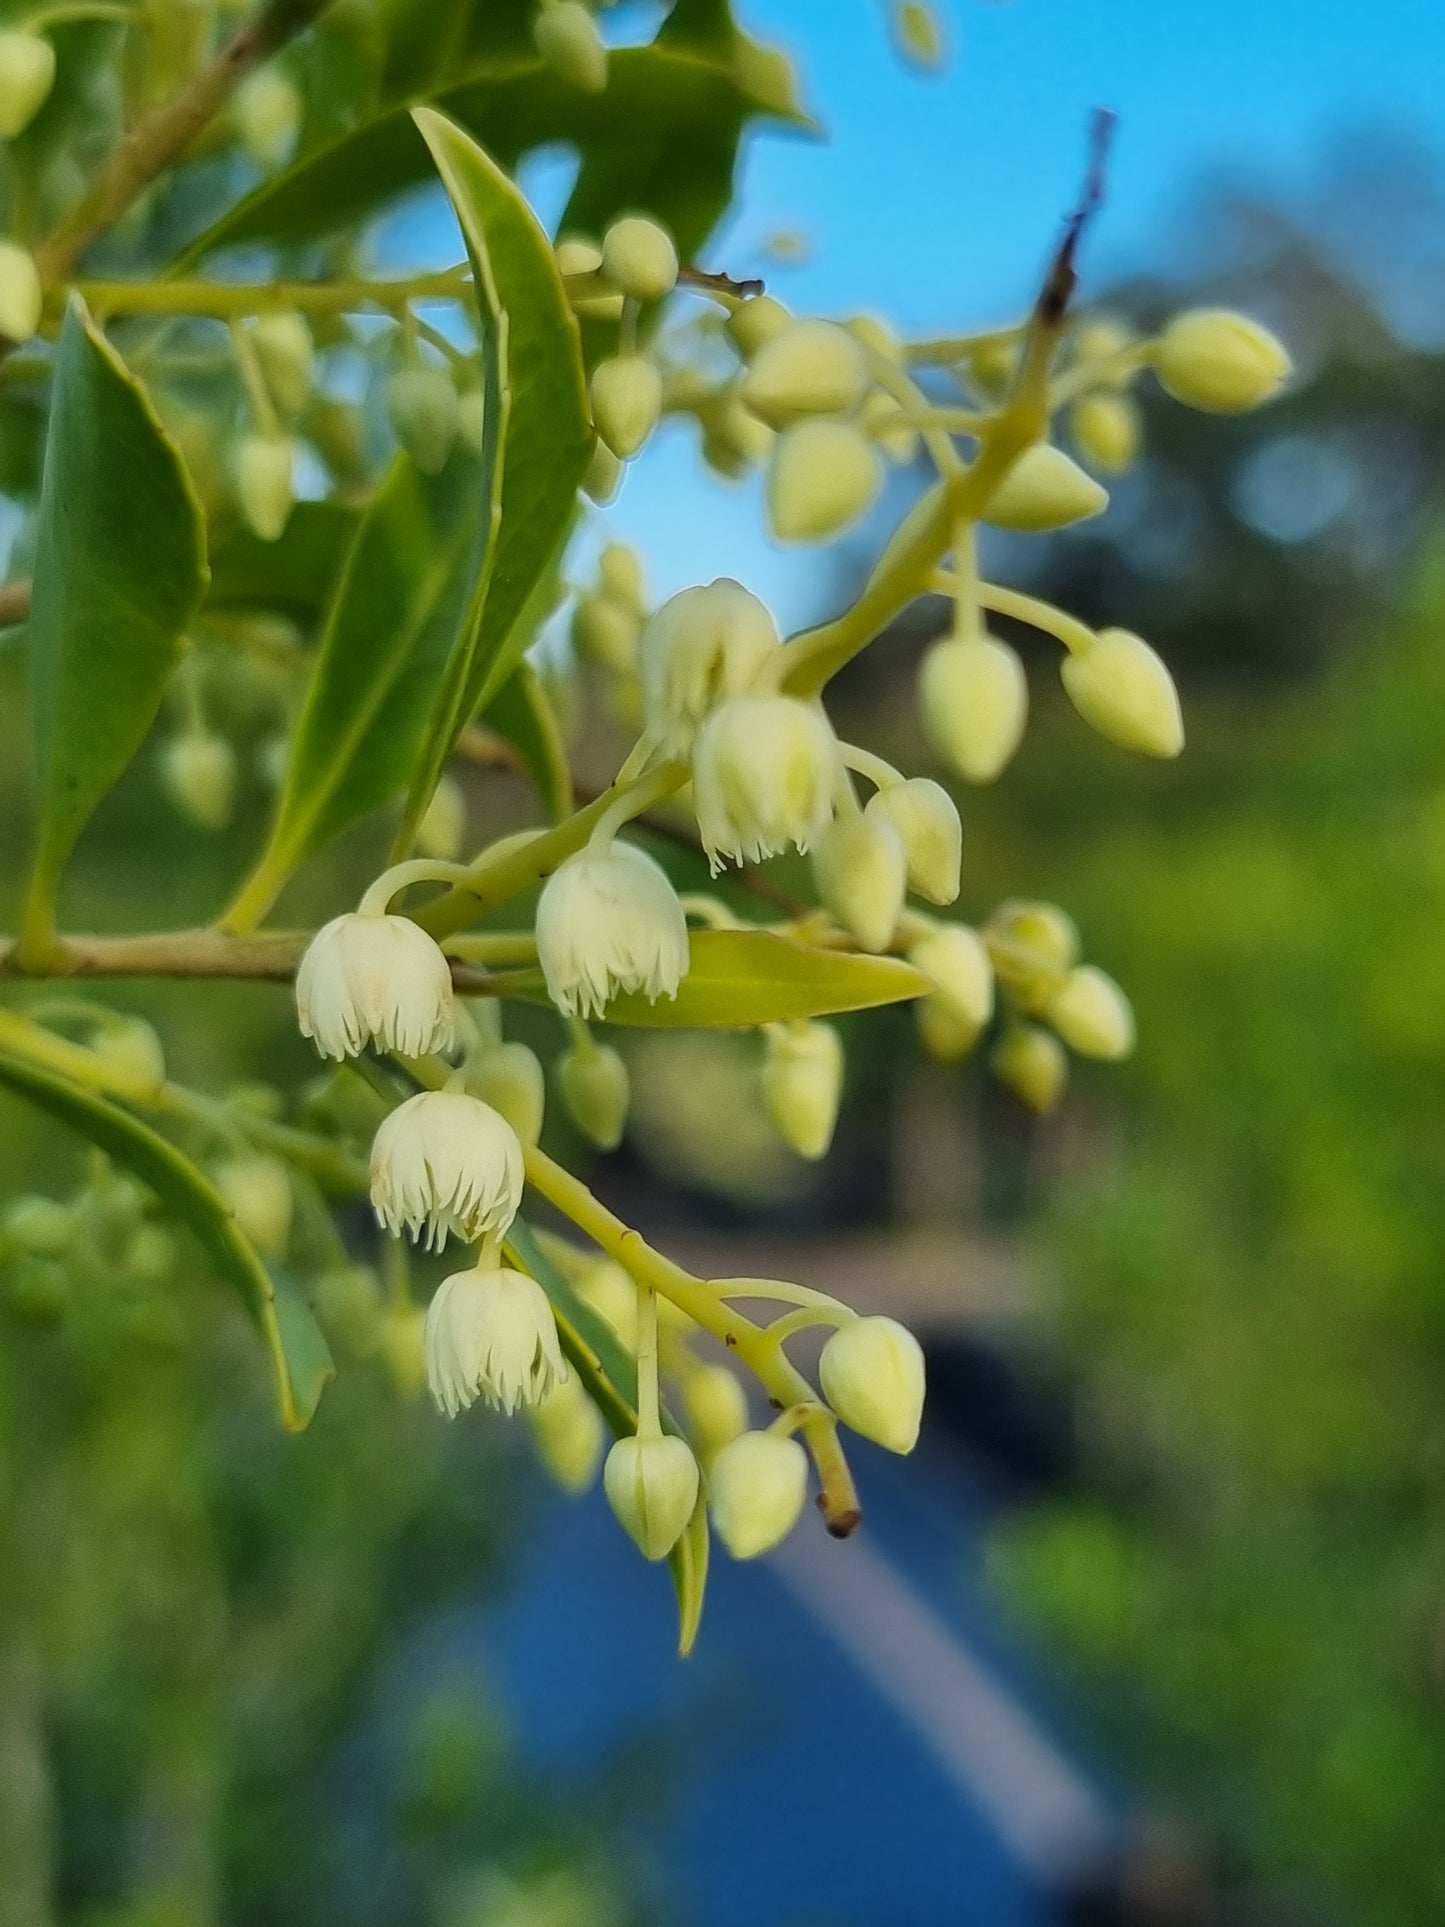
<point>302,1365</point>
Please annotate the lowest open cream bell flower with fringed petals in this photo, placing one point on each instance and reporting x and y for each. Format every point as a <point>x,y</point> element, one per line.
<point>490,1334</point>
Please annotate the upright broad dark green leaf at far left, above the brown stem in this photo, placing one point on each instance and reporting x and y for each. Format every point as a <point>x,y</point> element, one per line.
<point>120,569</point>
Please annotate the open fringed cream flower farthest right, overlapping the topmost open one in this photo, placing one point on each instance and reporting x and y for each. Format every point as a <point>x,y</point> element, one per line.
<point>764,778</point>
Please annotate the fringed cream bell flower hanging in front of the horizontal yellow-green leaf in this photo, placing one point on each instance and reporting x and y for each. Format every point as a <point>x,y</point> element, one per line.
<point>608,922</point>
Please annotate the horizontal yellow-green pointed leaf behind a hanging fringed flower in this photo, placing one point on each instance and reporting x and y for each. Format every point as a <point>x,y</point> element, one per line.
<point>745,978</point>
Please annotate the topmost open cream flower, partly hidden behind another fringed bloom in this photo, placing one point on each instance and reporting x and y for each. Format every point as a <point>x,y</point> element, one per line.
<point>700,648</point>
